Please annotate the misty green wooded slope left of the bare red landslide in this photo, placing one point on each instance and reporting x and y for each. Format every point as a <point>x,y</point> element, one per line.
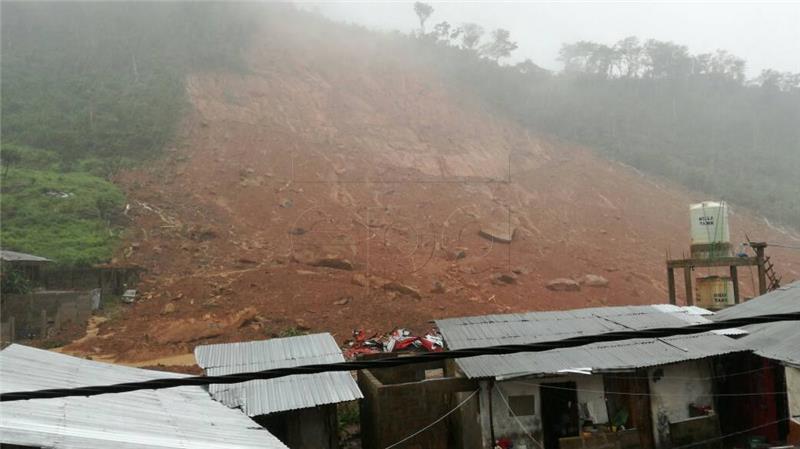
<point>89,88</point>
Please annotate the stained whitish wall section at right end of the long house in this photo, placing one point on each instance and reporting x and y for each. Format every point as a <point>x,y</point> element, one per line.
<point>671,393</point>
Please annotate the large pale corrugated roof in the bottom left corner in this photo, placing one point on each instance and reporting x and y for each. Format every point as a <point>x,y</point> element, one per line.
<point>183,417</point>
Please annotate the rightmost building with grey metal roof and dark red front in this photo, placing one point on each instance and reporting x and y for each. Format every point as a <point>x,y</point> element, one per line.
<point>774,367</point>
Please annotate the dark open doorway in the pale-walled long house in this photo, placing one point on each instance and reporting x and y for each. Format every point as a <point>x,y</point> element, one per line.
<point>559,412</point>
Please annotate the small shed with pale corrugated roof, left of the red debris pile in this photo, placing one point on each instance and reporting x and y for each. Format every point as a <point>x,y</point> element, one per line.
<point>300,410</point>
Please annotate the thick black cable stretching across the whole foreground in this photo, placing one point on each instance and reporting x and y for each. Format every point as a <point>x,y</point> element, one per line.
<point>227,379</point>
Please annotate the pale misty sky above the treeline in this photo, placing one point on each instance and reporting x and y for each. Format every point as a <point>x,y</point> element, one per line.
<point>767,35</point>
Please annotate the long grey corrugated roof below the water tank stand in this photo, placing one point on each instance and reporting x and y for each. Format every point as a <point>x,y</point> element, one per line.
<point>470,332</point>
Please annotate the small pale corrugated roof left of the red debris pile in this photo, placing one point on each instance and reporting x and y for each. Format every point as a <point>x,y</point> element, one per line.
<point>260,397</point>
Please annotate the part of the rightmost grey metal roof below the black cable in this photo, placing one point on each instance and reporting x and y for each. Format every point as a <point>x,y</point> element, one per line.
<point>777,341</point>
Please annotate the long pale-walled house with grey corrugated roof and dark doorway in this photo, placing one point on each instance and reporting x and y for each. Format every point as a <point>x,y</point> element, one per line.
<point>660,391</point>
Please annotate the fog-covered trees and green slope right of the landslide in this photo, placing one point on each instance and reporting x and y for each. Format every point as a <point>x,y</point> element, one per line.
<point>694,119</point>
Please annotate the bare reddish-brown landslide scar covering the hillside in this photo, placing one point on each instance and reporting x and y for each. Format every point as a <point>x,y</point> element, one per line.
<point>335,147</point>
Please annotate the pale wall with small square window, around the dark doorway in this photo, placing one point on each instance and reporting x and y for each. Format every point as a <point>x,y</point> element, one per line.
<point>590,391</point>
